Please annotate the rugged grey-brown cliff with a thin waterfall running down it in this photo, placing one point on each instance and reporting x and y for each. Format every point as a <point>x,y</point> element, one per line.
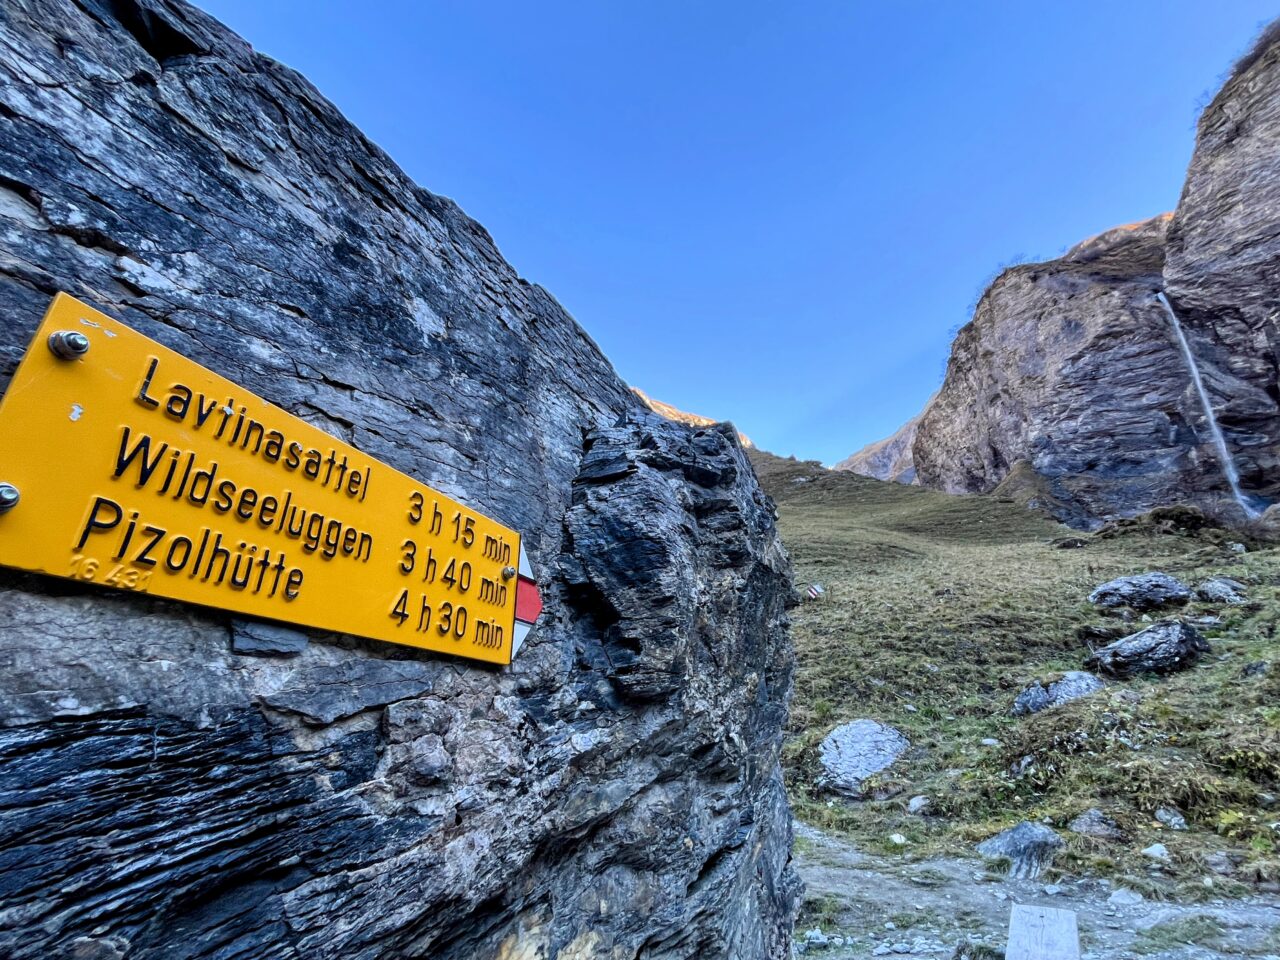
<point>1071,381</point>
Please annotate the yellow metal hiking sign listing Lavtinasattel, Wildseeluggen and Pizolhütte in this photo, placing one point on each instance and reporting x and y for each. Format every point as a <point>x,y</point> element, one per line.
<point>138,469</point>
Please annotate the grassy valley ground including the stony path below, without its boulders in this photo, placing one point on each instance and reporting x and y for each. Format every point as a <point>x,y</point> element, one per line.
<point>939,611</point>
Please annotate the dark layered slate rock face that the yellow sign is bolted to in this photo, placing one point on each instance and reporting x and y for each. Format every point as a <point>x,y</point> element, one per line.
<point>181,784</point>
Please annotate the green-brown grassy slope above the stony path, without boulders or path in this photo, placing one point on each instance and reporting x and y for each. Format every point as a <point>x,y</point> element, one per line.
<point>952,605</point>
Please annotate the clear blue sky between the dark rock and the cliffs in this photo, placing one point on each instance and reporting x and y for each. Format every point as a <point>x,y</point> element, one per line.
<point>775,213</point>
